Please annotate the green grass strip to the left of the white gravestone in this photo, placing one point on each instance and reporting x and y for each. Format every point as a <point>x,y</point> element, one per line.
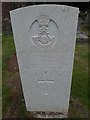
<point>8,49</point>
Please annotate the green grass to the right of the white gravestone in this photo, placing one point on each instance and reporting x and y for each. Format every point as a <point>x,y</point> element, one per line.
<point>80,74</point>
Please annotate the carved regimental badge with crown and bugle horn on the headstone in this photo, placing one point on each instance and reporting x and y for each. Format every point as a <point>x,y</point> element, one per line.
<point>43,39</point>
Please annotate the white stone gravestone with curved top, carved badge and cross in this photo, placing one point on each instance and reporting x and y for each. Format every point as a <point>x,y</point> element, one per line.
<point>45,37</point>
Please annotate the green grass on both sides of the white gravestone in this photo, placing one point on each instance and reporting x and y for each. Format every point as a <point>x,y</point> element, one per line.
<point>79,80</point>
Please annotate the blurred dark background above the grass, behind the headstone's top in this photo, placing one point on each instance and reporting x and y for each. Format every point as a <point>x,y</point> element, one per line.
<point>83,21</point>
